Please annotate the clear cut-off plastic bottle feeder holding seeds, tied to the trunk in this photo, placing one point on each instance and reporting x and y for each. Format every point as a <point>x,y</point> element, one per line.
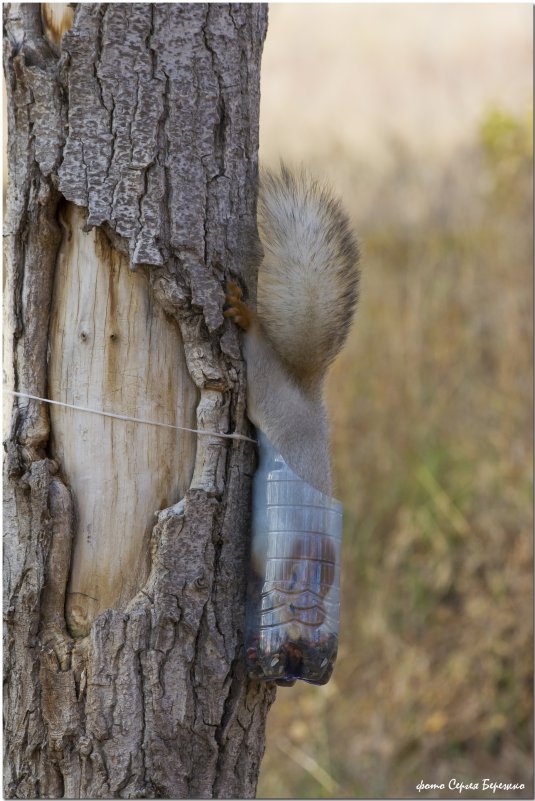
<point>293,597</point>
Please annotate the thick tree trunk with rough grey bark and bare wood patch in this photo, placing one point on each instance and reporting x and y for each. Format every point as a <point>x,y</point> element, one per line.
<point>132,182</point>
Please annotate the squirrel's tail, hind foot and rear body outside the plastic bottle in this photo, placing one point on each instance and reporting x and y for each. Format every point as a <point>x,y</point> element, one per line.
<point>306,297</point>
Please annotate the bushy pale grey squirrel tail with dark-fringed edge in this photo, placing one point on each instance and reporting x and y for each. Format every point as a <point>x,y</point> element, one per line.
<point>308,279</point>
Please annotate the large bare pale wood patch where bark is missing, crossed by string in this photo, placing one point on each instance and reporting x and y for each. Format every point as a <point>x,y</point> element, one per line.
<point>113,348</point>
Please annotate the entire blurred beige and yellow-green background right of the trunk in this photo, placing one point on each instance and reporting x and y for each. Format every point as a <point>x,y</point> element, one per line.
<point>421,118</point>
